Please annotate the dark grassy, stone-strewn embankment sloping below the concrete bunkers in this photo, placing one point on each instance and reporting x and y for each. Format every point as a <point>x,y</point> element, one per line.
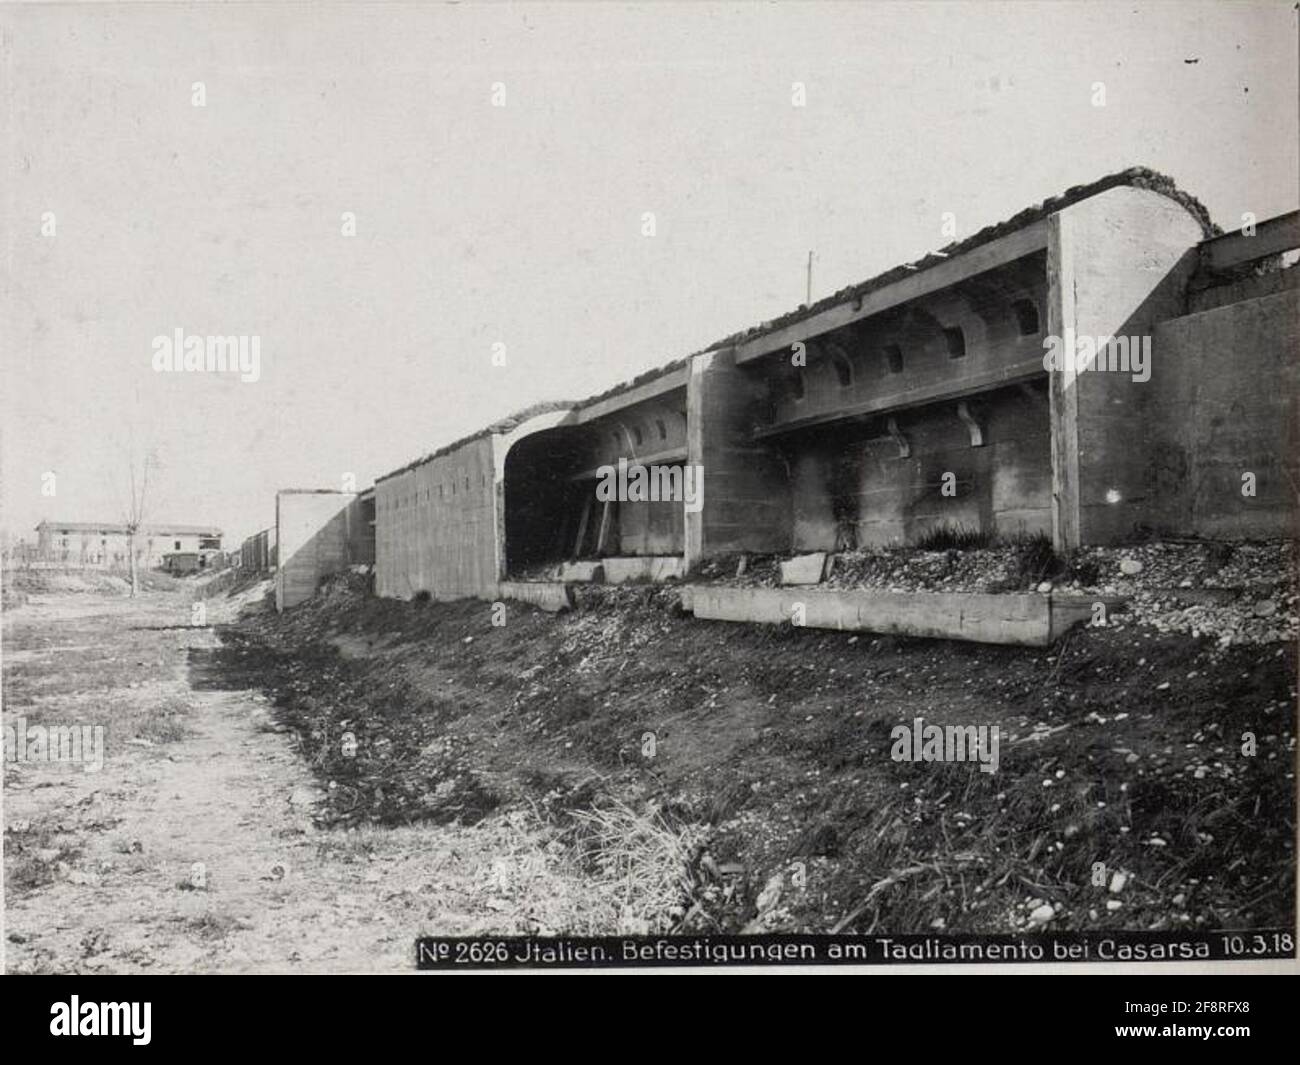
<point>769,751</point>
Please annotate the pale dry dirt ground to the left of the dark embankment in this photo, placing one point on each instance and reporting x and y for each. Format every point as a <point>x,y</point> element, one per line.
<point>101,867</point>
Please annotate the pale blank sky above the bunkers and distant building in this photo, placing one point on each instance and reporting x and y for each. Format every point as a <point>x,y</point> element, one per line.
<point>523,224</point>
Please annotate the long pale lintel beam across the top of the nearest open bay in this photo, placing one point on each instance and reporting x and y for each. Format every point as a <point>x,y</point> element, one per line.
<point>986,258</point>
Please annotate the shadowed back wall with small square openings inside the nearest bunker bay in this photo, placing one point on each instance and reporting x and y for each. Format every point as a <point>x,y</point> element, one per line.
<point>930,414</point>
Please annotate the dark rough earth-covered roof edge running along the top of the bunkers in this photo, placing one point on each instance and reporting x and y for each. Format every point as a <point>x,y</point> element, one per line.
<point>1134,177</point>
